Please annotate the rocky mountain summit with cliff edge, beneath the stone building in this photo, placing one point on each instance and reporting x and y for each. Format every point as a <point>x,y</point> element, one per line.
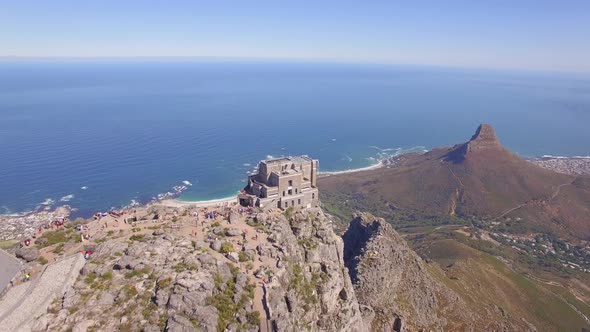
<point>255,271</point>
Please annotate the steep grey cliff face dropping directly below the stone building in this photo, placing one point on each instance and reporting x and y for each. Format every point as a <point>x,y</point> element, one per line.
<point>311,290</point>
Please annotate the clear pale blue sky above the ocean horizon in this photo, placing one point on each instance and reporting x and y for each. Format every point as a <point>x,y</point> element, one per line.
<point>516,34</point>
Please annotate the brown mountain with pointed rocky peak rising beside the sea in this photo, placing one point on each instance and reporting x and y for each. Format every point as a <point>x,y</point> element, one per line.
<point>477,178</point>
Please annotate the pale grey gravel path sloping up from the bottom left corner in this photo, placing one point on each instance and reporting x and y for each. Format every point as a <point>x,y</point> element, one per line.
<point>34,301</point>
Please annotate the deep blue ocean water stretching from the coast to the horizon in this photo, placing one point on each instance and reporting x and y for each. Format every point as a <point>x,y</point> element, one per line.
<point>98,134</point>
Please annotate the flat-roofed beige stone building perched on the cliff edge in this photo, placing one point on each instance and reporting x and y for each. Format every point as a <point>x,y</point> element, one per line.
<point>283,183</point>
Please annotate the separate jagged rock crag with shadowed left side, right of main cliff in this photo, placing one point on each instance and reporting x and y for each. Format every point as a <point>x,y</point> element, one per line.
<point>391,280</point>
